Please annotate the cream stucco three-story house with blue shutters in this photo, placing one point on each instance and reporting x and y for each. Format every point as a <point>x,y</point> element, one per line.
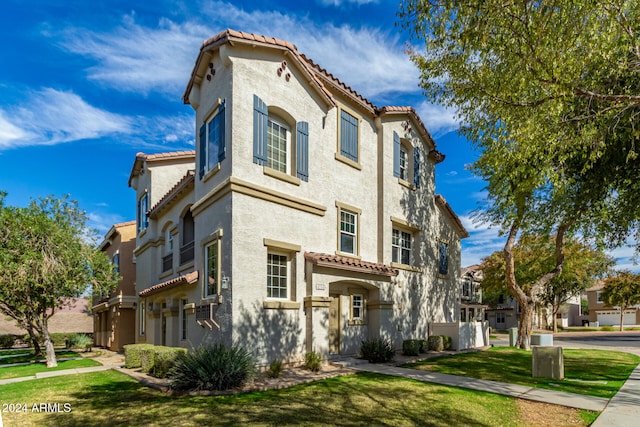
<point>306,219</point>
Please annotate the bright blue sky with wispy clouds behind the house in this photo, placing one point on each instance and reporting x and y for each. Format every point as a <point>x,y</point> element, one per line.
<point>85,85</point>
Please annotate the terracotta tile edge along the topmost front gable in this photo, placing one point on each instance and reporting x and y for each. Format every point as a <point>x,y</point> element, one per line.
<point>231,36</point>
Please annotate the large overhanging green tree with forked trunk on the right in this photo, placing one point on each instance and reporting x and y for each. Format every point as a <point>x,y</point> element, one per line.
<point>549,93</point>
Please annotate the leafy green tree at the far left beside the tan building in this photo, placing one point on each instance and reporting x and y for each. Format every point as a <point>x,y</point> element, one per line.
<point>46,257</point>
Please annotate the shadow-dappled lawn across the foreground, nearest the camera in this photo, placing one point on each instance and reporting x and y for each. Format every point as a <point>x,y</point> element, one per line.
<point>111,398</point>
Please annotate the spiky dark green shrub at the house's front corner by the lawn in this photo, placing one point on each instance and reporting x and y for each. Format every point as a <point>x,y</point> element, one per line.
<point>212,367</point>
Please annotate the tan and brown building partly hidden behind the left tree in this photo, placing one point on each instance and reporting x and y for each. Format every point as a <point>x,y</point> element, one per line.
<point>114,314</point>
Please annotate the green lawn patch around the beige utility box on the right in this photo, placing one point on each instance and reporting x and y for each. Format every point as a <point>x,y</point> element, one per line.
<point>598,373</point>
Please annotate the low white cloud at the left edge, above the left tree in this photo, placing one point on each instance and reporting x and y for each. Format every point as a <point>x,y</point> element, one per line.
<point>54,117</point>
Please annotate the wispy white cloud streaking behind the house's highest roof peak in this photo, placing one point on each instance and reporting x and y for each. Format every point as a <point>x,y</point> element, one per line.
<point>139,58</point>
